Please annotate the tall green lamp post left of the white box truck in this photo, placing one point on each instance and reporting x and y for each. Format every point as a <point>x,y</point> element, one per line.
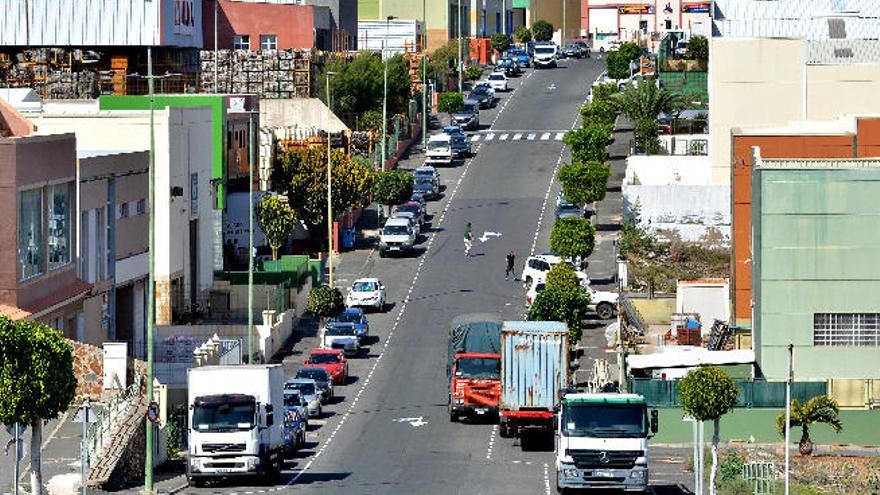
<point>151,277</point>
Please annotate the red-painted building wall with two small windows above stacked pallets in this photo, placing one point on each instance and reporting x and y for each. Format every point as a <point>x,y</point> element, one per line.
<point>292,24</point>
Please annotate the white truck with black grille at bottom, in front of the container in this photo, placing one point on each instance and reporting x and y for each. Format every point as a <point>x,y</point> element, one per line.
<point>602,441</point>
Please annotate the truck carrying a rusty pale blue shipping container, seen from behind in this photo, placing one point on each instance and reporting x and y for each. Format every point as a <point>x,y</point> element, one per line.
<point>534,371</point>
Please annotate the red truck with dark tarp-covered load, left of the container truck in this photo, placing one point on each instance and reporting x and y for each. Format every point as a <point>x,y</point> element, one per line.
<point>473,368</point>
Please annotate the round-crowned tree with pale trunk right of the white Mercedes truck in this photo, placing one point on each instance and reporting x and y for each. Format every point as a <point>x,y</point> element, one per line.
<point>707,393</point>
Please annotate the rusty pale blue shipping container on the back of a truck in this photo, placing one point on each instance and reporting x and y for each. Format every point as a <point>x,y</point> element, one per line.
<point>534,364</point>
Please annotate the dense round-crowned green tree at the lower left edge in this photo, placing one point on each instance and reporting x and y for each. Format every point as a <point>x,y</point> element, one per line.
<point>37,381</point>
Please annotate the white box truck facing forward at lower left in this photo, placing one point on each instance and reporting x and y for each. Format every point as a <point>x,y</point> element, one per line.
<point>236,422</point>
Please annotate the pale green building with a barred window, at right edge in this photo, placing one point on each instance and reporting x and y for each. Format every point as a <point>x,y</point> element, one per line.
<point>815,270</point>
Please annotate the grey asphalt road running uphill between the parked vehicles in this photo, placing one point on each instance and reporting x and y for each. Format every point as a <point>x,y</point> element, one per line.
<point>388,432</point>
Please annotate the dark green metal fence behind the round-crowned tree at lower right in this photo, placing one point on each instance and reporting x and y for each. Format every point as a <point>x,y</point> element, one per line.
<point>752,394</point>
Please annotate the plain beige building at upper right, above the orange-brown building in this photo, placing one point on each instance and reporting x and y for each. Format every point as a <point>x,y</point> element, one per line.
<point>771,82</point>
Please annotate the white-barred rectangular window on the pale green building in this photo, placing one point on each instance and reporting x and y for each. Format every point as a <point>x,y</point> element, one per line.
<point>846,329</point>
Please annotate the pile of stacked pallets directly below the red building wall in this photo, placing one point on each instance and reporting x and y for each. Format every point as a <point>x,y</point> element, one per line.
<point>270,73</point>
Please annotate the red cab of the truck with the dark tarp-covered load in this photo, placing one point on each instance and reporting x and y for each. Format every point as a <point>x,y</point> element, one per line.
<point>475,385</point>
